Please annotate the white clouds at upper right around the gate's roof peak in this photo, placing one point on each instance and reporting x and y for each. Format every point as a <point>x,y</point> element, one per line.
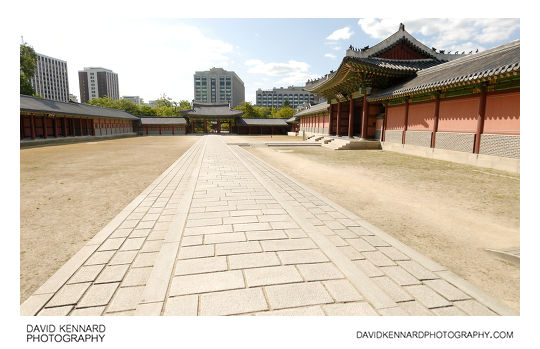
<point>447,33</point>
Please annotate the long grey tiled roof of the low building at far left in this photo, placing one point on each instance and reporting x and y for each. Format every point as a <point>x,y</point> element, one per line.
<point>40,105</point>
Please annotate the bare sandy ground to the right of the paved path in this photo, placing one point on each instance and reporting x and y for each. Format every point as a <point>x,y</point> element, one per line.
<point>449,212</point>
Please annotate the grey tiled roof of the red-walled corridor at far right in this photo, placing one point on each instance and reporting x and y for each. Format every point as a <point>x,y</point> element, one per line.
<point>471,69</point>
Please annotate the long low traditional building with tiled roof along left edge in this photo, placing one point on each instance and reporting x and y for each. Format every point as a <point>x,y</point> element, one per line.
<point>49,119</point>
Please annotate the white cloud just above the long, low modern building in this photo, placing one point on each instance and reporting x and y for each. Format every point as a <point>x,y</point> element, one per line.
<point>289,73</point>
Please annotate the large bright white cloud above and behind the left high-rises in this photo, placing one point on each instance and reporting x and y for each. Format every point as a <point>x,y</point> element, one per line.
<point>149,57</point>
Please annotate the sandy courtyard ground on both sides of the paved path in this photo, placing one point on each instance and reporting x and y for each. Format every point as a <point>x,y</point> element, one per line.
<point>446,211</point>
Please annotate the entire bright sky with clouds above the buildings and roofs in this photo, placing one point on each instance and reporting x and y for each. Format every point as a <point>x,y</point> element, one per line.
<point>159,56</point>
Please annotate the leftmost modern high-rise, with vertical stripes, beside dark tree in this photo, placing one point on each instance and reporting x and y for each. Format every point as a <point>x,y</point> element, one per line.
<point>50,80</point>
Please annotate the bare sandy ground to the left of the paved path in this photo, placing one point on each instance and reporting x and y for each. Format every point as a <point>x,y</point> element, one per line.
<point>69,192</point>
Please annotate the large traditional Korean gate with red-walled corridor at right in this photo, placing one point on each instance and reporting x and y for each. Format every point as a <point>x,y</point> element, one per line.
<point>415,99</point>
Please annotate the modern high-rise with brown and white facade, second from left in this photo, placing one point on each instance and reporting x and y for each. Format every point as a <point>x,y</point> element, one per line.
<point>95,82</point>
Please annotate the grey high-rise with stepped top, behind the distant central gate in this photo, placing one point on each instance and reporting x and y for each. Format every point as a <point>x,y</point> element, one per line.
<point>218,85</point>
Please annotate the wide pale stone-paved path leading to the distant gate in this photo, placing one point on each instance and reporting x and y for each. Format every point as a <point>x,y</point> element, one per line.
<point>223,233</point>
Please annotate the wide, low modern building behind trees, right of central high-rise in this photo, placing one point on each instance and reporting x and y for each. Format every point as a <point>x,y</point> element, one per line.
<point>294,94</point>
